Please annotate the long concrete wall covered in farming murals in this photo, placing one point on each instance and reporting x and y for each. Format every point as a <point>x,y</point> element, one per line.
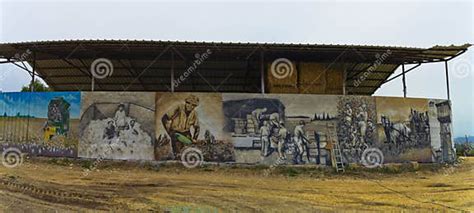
<point>226,127</point>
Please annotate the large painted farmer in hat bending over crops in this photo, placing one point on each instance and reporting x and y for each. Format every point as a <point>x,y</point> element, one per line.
<point>182,124</point>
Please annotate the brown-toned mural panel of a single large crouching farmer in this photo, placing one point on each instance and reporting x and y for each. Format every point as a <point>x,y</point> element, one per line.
<point>191,120</point>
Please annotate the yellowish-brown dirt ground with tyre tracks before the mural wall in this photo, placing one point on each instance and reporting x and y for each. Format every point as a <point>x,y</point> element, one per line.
<point>50,185</point>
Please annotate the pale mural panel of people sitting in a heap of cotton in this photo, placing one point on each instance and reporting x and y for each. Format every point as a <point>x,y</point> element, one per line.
<point>117,125</point>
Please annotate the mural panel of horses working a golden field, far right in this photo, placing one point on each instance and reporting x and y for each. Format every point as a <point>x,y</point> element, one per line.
<point>404,129</point>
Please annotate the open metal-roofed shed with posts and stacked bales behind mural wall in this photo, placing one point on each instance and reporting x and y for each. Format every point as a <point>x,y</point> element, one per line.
<point>219,67</point>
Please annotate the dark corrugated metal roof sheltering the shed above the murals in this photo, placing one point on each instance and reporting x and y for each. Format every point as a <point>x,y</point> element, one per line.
<point>233,67</point>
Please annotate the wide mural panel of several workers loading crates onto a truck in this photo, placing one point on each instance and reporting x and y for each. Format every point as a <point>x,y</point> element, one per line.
<point>287,129</point>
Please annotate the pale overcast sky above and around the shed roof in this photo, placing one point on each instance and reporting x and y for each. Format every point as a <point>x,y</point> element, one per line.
<point>399,23</point>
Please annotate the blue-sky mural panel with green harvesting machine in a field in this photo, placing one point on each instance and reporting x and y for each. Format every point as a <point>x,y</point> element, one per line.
<point>40,123</point>
